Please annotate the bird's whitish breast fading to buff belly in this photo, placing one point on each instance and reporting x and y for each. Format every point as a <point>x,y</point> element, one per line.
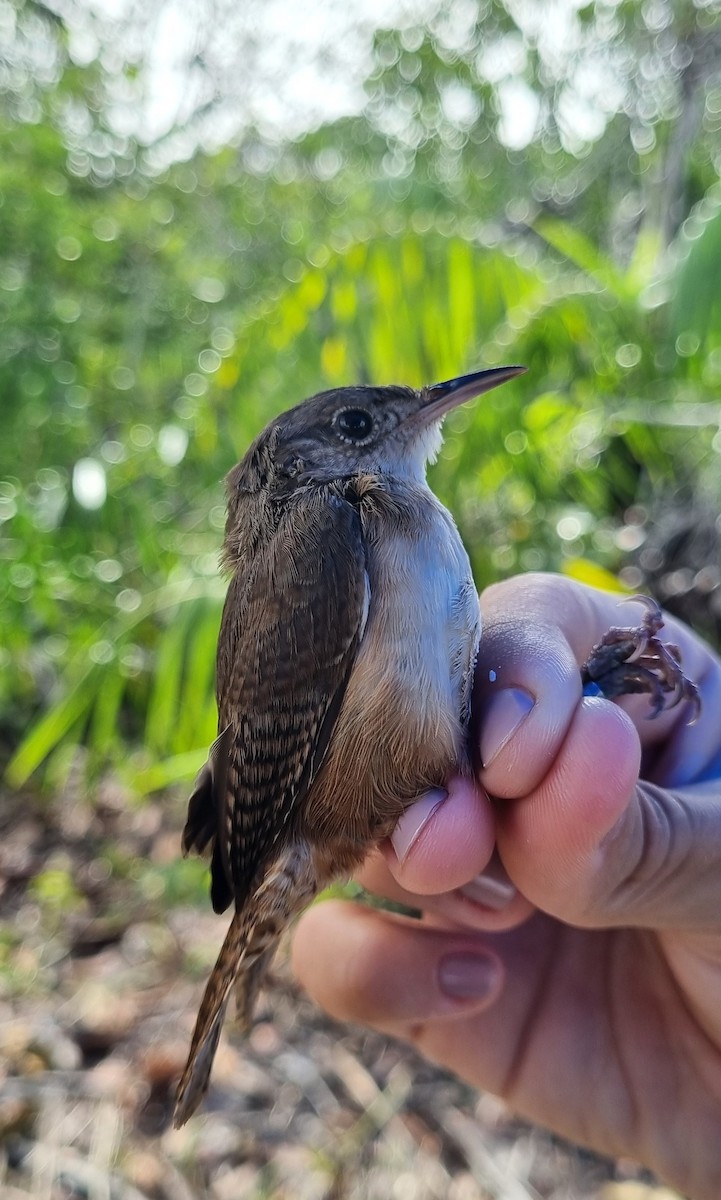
<point>404,724</point>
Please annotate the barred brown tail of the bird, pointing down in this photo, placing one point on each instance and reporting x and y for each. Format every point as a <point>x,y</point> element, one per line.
<point>247,953</point>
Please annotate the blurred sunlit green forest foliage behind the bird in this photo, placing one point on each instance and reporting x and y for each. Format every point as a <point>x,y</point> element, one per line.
<point>209,213</point>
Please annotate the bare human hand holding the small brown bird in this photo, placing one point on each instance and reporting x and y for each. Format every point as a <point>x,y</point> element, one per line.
<point>569,956</point>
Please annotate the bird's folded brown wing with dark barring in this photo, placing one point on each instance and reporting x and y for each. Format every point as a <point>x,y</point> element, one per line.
<point>295,619</point>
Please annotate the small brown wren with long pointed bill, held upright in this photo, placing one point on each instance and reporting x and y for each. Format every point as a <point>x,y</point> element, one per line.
<point>345,667</point>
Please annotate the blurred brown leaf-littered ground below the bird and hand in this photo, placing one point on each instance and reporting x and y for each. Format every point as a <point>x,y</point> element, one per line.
<point>106,939</point>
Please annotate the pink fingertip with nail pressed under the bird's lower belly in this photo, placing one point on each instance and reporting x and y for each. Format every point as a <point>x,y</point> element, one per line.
<point>442,842</point>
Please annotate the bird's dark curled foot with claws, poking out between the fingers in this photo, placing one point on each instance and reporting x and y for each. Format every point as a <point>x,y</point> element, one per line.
<point>634,661</point>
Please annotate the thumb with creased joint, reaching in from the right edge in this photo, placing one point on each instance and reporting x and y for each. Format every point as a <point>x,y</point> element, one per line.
<point>594,848</point>
